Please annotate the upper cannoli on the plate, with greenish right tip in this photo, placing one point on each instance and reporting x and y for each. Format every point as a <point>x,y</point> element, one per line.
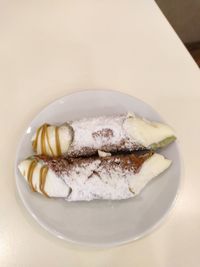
<point>84,137</point>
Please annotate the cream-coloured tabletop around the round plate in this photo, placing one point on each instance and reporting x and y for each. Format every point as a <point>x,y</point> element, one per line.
<point>51,48</point>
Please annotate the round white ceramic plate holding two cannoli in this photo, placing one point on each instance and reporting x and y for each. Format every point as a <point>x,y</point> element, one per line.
<point>99,223</point>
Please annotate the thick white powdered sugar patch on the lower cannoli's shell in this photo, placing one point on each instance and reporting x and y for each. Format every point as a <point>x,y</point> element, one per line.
<point>95,182</point>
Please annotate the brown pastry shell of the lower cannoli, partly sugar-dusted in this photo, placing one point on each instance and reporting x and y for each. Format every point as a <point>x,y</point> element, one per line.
<point>98,177</point>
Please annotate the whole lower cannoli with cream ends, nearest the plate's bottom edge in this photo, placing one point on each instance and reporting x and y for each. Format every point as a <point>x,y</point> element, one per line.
<point>97,177</point>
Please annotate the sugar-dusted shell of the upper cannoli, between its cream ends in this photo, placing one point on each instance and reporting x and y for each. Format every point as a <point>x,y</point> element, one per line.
<point>101,133</point>
